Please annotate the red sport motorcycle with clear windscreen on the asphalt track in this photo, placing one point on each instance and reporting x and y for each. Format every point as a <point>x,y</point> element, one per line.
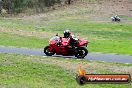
<point>60,46</point>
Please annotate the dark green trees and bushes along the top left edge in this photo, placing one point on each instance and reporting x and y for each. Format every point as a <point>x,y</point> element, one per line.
<point>18,6</point>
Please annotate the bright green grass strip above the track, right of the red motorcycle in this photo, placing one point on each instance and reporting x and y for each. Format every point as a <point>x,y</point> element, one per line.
<point>110,46</point>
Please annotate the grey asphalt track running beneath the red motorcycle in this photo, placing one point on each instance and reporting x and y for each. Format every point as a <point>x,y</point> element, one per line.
<point>90,56</point>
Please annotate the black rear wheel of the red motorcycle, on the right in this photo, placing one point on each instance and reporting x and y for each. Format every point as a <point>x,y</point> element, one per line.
<point>81,52</point>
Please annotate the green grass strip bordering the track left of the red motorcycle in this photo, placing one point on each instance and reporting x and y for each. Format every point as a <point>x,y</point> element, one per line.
<point>22,41</point>
